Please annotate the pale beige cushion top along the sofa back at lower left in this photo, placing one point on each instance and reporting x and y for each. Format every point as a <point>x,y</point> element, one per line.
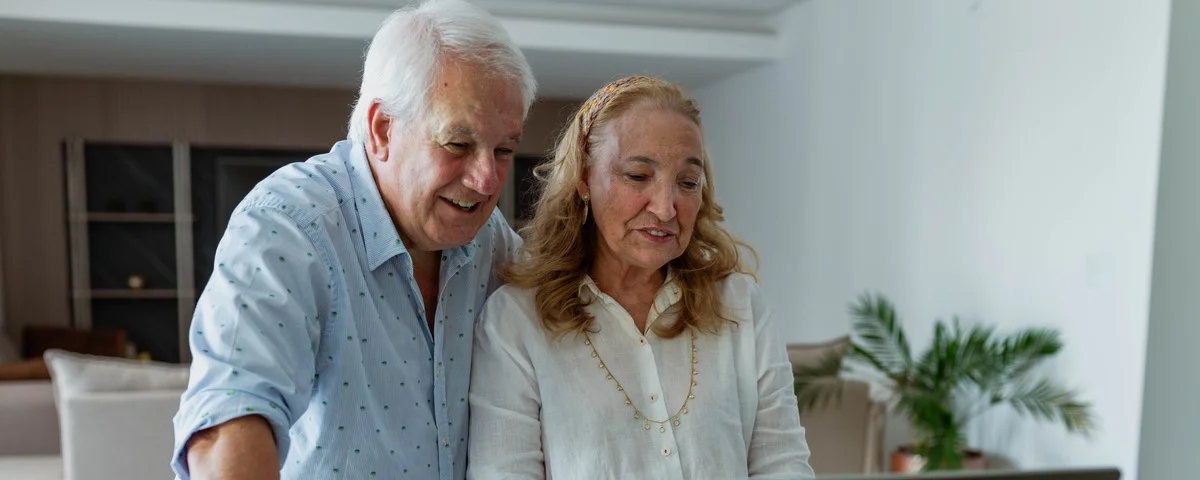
<point>75,374</point>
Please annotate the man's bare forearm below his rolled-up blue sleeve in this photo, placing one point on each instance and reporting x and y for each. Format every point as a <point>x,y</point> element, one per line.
<point>243,448</point>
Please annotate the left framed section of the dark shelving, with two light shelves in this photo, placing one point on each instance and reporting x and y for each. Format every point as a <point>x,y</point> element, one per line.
<point>130,215</point>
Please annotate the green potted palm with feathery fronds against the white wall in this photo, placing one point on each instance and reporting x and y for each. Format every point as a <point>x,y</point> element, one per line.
<point>964,373</point>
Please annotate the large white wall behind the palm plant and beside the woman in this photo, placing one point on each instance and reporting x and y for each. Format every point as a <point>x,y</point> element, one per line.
<point>991,159</point>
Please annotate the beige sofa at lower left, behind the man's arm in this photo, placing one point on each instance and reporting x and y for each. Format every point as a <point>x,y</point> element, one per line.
<point>89,435</point>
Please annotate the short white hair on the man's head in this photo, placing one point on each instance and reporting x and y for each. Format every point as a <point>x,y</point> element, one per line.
<point>404,58</point>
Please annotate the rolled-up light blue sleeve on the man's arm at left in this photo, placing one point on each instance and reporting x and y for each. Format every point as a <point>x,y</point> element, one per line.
<point>256,331</point>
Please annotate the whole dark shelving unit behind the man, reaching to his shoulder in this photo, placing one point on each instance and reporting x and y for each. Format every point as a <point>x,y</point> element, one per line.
<point>130,212</point>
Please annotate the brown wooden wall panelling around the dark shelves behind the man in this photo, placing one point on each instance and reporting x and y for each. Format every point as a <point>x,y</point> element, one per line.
<point>39,113</point>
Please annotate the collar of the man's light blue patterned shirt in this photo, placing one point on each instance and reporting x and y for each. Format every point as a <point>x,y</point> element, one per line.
<point>380,235</point>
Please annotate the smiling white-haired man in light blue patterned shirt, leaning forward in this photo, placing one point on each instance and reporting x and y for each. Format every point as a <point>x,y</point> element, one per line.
<point>334,338</point>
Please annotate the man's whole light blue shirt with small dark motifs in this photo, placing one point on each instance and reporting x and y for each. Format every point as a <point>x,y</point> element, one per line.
<point>313,319</point>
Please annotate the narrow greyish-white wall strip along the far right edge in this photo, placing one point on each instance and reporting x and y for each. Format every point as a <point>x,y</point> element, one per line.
<point>1171,428</point>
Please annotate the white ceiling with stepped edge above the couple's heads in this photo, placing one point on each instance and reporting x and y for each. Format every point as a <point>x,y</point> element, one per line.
<point>295,43</point>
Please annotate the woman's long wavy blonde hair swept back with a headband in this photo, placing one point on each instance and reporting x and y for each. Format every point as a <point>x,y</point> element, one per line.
<point>560,247</point>
